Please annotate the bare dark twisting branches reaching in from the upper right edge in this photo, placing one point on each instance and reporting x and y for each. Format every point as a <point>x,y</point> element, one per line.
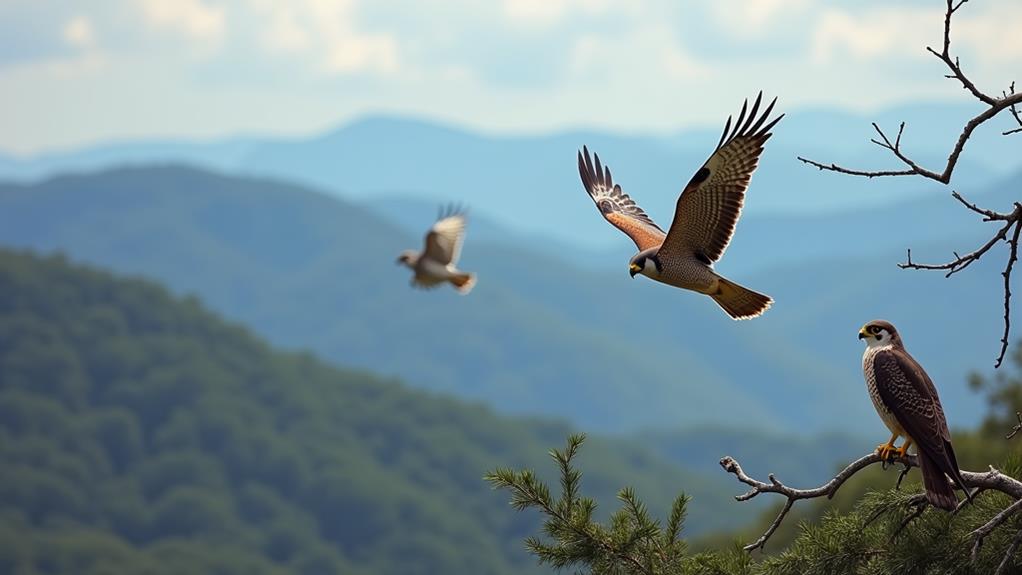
<point>1009,101</point>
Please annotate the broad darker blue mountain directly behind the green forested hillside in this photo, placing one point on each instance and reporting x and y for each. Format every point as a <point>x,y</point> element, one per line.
<point>539,336</point>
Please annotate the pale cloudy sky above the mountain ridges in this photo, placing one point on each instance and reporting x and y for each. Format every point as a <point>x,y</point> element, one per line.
<point>76,73</point>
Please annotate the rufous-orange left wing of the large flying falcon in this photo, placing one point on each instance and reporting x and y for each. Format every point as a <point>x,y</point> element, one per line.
<point>617,207</point>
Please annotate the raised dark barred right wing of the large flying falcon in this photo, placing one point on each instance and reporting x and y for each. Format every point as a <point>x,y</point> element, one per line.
<point>711,205</point>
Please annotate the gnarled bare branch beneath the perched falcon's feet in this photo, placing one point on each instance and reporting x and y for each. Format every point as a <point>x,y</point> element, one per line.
<point>990,481</point>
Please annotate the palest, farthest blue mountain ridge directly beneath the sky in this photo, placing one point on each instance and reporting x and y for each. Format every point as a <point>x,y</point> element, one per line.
<point>530,183</point>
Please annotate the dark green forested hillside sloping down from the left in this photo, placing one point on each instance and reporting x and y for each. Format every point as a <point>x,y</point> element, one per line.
<point>142,435</point>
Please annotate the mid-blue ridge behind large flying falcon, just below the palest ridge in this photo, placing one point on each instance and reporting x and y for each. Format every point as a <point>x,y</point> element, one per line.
<point>764,243</point>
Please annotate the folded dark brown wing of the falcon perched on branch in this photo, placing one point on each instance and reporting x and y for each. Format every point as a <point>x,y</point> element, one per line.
<point>911,397</point>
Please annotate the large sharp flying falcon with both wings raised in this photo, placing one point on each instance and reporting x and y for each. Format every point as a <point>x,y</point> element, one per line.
<point>705,218</point>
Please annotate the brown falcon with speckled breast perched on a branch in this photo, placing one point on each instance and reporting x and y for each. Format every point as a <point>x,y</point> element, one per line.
<point>908,403</point>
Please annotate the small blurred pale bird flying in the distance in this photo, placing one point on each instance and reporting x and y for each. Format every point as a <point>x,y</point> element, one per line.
<point>437,265</point>
